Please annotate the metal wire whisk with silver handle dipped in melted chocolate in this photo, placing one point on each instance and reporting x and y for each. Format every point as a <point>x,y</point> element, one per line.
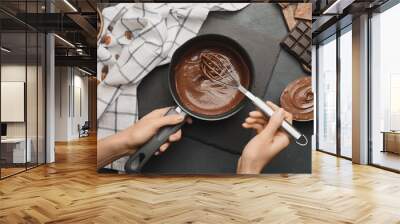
<point>218,68</point>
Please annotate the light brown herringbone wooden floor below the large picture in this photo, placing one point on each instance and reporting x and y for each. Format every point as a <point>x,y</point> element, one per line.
<point>70,191</point>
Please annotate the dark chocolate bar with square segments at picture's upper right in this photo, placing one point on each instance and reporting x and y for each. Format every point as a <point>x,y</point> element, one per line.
<point>298,43</point>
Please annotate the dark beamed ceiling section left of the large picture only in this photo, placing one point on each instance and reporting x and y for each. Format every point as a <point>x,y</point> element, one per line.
<point>72,20</point>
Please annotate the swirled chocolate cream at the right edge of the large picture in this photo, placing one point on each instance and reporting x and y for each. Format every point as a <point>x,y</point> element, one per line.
<point>298,99</point>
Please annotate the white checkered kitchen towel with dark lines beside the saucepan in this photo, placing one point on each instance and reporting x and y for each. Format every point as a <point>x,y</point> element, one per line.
<point>140,37</point>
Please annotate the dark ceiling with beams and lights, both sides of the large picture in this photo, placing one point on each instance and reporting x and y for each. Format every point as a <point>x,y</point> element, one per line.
<point>75,21</point>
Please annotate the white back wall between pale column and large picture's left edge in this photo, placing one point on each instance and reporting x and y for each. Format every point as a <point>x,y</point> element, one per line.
<point>69,82</point>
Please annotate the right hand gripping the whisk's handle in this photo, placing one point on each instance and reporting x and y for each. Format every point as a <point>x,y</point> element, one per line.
<point>268,142</point>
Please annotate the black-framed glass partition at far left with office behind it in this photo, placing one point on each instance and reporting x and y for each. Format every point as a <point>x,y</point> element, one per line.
<point>22,102</point>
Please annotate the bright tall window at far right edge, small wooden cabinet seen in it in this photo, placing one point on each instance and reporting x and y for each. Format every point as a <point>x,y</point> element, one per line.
<point>385,89</point>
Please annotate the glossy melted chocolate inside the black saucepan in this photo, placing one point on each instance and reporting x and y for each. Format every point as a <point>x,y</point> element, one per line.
<point>203,96</point>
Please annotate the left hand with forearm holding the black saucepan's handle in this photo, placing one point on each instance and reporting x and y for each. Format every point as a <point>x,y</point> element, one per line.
<point>129,140</point>
